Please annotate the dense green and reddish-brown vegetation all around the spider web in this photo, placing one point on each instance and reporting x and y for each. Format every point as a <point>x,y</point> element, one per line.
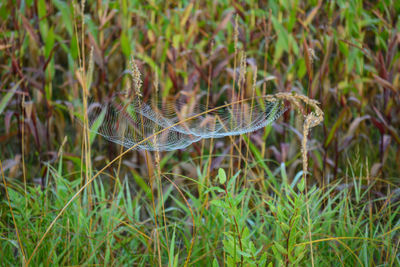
<point>223,202</point>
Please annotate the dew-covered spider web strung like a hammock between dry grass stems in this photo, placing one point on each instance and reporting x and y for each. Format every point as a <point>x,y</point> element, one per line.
<point>128,122</point>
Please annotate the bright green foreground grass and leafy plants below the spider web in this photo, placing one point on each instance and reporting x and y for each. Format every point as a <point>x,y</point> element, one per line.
<point>350,225</point>
